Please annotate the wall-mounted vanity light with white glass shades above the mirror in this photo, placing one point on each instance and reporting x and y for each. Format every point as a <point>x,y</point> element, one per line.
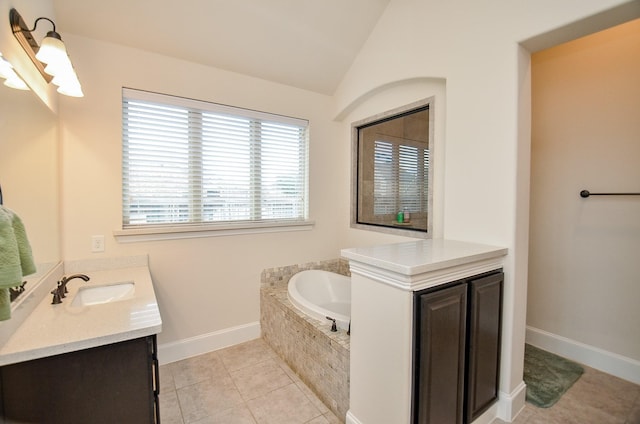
<point>50,57</point>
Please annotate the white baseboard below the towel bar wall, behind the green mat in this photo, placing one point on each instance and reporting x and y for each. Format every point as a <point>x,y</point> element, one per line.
<point>609,362</point>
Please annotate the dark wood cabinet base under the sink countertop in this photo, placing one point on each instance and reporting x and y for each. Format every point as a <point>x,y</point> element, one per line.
<point>116,383</point>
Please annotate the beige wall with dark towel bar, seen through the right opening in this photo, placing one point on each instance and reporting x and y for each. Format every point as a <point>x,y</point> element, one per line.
<point>584,272</point>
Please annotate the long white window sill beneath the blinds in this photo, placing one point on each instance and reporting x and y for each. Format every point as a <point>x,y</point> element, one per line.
<point>133,235</point>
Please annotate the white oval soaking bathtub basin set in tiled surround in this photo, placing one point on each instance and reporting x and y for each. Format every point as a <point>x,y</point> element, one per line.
<point>322,295</point>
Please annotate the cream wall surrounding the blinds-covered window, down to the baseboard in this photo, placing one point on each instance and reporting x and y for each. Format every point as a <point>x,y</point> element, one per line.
<point>204,285</point>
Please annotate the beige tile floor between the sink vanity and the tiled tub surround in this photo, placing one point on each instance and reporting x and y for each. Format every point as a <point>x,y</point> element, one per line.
<point>242,384</point>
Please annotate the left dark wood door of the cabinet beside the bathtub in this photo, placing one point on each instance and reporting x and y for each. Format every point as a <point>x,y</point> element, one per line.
<point>440,356</point>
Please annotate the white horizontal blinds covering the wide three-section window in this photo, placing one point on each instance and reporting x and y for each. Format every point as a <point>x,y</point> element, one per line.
<point>191,162</point>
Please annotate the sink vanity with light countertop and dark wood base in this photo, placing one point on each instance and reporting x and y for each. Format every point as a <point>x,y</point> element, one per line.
<point>91,358</point>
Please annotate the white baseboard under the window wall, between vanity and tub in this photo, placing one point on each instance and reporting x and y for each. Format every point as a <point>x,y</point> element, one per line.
<point>186,348</point>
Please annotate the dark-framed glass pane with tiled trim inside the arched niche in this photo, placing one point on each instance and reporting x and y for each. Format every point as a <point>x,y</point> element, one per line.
<point>392,172</point>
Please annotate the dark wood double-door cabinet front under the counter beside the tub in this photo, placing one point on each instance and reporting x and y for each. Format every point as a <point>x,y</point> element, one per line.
<point>457,349</point>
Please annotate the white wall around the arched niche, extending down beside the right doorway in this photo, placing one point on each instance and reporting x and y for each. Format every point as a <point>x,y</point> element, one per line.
<point>475,47</point>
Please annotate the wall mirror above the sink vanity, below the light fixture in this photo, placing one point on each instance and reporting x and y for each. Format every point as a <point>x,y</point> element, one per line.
<point>29,170</point>
